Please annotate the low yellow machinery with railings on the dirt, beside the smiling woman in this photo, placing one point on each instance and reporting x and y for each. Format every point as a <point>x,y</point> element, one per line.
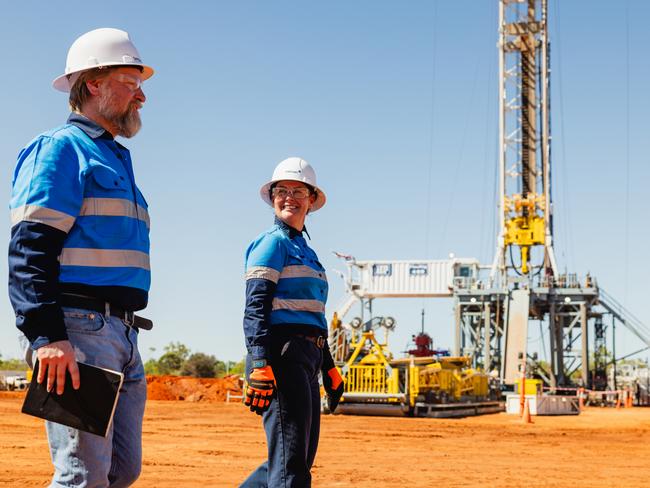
<point>436,386</point>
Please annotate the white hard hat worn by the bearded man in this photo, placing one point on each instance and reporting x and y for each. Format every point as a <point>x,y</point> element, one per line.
<point>97,48</point>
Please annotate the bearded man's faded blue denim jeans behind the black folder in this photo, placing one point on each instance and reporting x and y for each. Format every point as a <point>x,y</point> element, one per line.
<point>86,460</point>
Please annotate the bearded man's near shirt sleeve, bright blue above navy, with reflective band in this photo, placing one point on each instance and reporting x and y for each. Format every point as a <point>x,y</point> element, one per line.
<point>46,199</point>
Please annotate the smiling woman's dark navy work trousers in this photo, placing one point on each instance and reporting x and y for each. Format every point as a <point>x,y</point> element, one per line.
<point>292,423</point>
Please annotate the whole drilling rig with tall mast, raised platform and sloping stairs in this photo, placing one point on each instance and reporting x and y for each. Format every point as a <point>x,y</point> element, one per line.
<point>493,315</point>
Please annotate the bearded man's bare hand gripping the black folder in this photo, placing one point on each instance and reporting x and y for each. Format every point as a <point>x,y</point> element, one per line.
<point>54,360</point>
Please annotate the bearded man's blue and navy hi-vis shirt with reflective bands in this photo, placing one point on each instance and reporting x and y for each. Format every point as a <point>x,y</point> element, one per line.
<point>79,225</point>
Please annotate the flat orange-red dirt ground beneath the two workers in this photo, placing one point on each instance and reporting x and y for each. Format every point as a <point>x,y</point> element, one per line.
<point>201,444</point>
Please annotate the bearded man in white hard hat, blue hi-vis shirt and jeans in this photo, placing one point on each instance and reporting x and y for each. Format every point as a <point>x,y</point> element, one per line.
<point>79,253</point>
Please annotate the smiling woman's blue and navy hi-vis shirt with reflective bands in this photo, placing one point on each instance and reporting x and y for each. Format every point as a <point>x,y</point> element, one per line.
<point>286,286</point>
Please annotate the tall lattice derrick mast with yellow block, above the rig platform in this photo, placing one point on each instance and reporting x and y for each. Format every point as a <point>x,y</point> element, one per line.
<point>524,142</point>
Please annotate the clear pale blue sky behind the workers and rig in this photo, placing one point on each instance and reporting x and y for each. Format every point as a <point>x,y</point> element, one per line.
<point>377,96</point>
